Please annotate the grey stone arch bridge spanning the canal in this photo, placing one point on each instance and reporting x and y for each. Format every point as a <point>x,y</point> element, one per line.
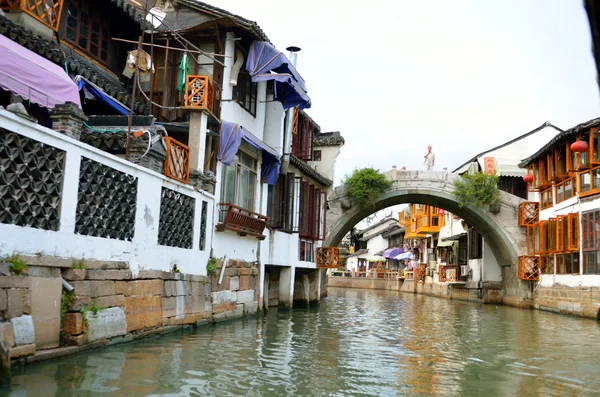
<point>499,228</point>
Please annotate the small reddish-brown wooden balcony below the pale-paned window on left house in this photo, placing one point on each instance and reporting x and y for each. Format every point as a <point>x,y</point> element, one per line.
<point>242,221</point>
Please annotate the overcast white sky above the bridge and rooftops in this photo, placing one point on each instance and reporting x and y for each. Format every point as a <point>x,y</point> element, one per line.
<point>462,76</point>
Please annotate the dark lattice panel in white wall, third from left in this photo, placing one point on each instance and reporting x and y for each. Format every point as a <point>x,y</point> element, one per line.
<point>176,223</point>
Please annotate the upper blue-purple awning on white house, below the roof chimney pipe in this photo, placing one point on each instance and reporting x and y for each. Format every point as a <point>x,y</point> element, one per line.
<point>266,62</point>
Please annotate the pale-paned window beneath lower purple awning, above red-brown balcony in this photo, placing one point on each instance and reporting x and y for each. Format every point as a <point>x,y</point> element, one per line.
<point>239,182</point>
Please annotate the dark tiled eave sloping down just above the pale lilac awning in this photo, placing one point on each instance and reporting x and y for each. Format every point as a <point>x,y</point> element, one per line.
<point>75,63</point>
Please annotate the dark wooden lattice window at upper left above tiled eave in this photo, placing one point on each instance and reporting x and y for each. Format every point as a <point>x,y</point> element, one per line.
<point>103,22</point>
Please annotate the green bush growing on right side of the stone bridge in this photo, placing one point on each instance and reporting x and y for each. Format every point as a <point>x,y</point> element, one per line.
<point>478,190</point>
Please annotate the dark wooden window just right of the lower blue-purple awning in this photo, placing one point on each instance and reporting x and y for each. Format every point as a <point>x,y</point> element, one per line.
<point>283,202</point>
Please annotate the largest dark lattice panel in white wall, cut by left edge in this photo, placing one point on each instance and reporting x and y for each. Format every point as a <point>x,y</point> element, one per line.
<point>31,176</point>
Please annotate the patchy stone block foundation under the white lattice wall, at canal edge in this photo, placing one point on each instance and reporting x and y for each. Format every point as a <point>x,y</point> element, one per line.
<point>107,305</point>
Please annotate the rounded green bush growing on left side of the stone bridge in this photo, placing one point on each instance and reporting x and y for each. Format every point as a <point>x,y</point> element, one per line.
<point>365,185</point>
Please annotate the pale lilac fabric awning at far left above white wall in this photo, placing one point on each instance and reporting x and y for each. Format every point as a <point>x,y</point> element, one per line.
<point>33,77</point>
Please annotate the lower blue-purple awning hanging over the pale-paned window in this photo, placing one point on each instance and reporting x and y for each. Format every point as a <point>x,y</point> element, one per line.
<point>231,139</point>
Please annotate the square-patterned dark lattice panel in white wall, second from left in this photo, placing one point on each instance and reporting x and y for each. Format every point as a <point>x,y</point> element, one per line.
<point>106,202</point>
